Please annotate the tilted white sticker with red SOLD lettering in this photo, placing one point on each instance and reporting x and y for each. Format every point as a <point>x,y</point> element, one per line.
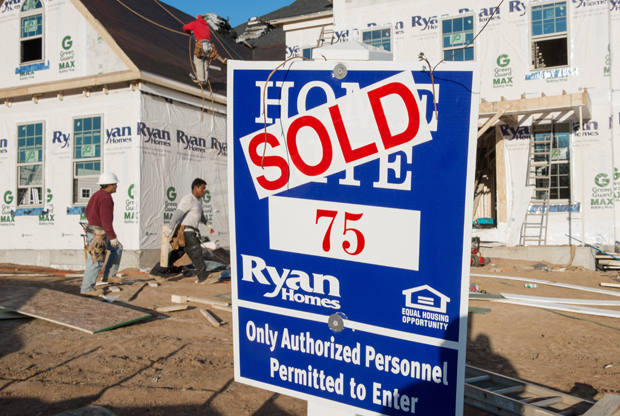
<point>375,121</point>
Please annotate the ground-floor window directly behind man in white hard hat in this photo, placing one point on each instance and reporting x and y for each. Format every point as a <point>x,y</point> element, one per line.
<point>86,157</point>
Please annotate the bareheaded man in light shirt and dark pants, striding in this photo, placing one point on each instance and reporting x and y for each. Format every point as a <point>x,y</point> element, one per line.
<point>190,214</point>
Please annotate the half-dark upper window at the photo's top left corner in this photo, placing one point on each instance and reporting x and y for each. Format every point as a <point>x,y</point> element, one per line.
<point>31,32</point>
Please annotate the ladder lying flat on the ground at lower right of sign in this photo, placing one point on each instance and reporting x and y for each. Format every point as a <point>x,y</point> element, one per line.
<point>505,396</point>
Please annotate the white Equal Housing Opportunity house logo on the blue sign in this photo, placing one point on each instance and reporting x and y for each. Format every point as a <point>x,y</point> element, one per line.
<point>425,306</point>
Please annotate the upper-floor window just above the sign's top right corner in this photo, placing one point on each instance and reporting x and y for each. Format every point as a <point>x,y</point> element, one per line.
<point>456,33</point>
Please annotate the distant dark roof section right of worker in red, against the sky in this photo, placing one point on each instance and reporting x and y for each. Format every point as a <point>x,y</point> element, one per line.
<point>276,36</point>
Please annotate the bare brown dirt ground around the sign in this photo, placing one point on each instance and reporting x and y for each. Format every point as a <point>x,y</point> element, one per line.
<point>178,364</point>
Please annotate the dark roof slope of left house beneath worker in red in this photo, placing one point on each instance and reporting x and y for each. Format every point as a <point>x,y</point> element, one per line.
<point>157,50</point>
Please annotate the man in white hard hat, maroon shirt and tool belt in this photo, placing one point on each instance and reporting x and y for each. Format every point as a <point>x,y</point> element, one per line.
<point>101,237</point>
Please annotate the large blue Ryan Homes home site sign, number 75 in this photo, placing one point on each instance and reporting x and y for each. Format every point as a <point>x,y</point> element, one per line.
<point>350,205</point>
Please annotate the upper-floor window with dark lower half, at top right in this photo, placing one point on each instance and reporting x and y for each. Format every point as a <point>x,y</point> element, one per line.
<point>549,35</point>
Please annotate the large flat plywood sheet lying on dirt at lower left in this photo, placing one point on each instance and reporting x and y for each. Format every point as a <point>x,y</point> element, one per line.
<point>73,311</point>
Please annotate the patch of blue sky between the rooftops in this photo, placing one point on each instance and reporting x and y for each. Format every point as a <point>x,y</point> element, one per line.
<point>239,11</point>
